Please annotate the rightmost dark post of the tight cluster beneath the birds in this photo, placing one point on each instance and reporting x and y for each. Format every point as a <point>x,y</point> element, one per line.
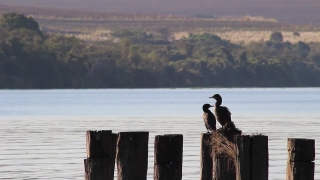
<point>259,157</point>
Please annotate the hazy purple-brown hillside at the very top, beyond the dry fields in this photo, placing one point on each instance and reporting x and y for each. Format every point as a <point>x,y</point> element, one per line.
<point>304,12</point>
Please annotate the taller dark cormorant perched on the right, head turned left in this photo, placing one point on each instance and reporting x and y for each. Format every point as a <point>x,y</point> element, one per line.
<point>222,113</point>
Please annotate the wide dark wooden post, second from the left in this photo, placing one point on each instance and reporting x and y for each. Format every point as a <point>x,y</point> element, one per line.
<point>132,155</point>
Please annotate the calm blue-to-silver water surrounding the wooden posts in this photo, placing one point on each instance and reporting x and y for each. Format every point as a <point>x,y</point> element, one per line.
<point>42,132</point>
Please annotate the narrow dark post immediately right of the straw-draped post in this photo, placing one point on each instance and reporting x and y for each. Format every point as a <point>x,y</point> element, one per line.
<point>243,162</point>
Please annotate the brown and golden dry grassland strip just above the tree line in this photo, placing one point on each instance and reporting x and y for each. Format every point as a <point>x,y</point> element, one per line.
<point>97,25</point>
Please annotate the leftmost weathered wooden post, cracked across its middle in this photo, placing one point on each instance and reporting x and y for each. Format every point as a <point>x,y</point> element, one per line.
<point>100,162</point>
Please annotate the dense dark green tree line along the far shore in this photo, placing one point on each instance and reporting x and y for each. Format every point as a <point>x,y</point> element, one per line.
<point>30,58</point>
